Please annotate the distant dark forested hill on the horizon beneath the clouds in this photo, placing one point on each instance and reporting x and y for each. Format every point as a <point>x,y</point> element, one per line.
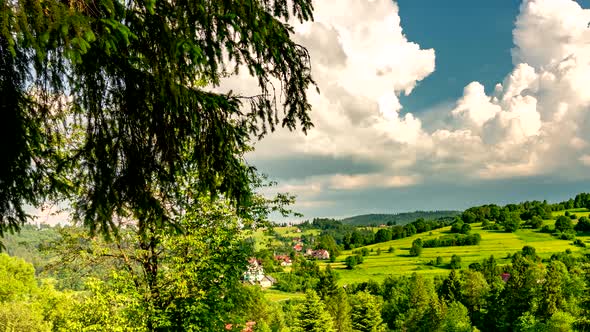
<point>396,219</point>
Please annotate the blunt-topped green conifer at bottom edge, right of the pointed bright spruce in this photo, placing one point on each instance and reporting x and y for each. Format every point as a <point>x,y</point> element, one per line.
<point>366,313</point>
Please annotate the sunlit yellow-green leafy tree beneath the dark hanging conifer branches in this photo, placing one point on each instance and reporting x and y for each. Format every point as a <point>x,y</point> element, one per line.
<point>191,281</point>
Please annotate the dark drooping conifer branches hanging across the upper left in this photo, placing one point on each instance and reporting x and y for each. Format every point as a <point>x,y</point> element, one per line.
<point>106,102</point>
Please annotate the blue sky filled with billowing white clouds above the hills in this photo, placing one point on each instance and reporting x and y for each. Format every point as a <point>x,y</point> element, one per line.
<point>428,104</point>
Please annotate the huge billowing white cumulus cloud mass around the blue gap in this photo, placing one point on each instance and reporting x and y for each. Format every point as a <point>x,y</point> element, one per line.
<point>534,123</point>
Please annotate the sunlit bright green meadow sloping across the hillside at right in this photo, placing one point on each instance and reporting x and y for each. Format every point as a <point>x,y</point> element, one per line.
<point>497,243</point>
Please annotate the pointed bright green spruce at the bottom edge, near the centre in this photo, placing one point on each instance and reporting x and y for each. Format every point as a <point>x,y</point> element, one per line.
<point>312,315</point>
